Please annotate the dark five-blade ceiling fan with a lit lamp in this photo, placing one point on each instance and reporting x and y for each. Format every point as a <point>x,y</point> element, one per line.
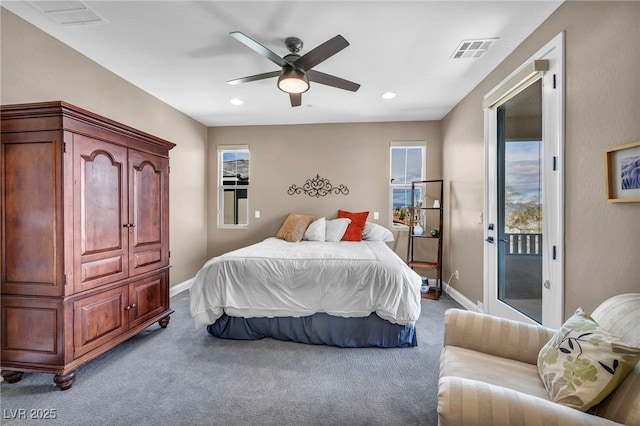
<point>297,70</point>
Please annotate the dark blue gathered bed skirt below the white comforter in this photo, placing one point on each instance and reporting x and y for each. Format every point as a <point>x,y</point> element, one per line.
<point>318,329</point>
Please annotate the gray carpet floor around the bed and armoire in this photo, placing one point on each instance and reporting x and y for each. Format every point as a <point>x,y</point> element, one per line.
<point>183,376</point>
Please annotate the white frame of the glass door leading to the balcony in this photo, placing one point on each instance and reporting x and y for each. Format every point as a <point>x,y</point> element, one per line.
<point>553,192</point>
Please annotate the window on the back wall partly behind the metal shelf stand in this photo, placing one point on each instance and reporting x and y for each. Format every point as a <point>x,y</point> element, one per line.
<point>407,165</point>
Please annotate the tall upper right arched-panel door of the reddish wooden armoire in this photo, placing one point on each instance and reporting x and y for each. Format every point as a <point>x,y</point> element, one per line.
<point>148,186</point>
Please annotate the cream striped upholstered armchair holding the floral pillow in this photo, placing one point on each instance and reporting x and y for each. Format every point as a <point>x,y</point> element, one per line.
<point>489,373</point>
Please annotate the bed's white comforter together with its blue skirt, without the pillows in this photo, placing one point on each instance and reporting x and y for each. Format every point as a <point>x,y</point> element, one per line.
<point>345,293</point>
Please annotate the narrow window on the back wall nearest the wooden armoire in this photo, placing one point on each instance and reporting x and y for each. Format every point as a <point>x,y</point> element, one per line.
<point>233,164</point>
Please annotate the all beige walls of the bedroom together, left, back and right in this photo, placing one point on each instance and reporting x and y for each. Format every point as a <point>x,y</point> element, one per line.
<point>603,110</point>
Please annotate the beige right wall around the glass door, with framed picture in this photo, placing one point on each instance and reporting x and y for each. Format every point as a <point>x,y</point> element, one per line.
<point>602,240</point>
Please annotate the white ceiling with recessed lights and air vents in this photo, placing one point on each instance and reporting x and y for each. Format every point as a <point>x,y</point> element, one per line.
<point>181,53</point>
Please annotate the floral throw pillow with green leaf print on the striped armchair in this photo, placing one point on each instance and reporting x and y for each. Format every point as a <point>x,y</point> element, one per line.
<point>584,363</point>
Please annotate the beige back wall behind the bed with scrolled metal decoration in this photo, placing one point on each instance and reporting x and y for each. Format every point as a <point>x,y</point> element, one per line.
<point>356,155</point>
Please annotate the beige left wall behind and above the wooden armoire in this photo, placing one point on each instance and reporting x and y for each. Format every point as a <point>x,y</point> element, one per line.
<point>37,67</point>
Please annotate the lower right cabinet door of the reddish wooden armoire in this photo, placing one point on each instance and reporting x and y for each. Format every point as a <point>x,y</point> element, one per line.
<point>149,296</point>
